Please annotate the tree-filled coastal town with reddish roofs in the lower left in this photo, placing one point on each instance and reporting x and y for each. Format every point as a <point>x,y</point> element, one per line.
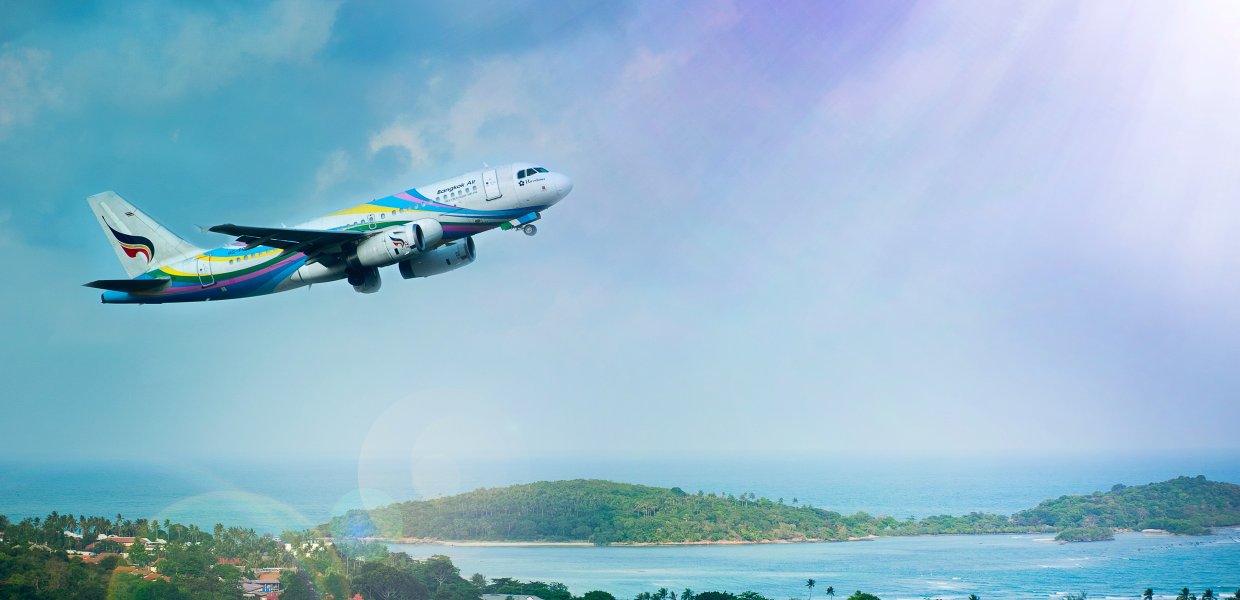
<point>63,557</point>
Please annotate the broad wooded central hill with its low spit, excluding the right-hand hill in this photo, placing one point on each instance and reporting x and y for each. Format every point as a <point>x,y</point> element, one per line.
<point>607,513</point>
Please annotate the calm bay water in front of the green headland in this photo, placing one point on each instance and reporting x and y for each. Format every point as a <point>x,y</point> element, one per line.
<point>993,567</point>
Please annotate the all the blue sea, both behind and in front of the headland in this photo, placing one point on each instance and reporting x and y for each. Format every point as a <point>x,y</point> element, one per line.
<point>277,496</point>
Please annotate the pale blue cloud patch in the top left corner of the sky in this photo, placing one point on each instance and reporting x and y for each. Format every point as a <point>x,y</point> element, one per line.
<point>139,56</point>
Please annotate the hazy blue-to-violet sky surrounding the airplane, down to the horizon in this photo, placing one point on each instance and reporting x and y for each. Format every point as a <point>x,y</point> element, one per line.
<point>829,230</point>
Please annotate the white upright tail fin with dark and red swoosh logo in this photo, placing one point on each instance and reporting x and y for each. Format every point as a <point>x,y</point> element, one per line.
<point>141,242</point>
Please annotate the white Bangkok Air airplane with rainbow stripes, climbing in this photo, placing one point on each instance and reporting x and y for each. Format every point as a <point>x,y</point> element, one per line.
<point>425,231</point>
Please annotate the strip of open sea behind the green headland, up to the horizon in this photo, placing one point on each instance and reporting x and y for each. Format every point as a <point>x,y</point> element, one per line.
<point>308,493</point>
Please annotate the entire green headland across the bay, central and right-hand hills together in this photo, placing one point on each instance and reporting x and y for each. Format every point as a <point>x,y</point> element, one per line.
<point>607,513</point>
